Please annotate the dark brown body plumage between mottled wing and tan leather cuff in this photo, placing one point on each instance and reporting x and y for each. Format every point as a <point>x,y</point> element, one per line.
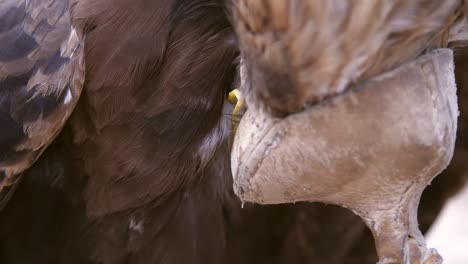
<point>141,172</point>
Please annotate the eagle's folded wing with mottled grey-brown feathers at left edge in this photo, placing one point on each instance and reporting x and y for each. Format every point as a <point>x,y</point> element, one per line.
<point>41,79</point>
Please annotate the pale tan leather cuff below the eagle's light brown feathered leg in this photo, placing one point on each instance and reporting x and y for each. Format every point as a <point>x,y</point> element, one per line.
<point>373,150</point>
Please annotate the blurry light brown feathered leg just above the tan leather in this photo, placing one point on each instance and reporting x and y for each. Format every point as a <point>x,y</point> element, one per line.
<point>322,47</point>
